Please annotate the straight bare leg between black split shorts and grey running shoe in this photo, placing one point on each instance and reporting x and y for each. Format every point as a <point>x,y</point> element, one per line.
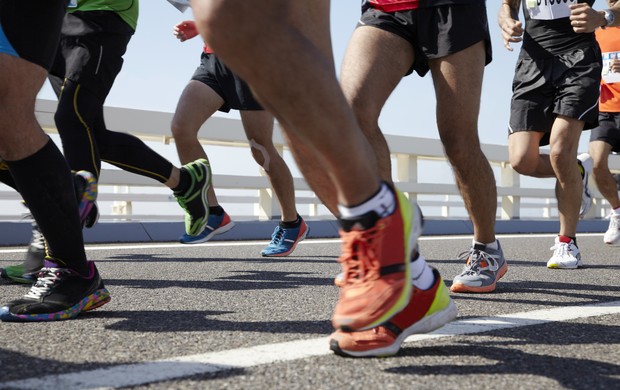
<point>458,84</point>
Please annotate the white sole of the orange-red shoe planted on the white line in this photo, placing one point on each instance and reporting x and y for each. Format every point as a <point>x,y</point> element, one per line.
<point>425,325</point>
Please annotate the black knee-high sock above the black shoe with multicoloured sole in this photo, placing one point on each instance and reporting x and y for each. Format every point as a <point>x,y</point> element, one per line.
<point>46,184</point>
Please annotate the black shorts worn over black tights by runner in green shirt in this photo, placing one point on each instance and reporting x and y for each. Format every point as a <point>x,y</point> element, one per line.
<point>91,50</point>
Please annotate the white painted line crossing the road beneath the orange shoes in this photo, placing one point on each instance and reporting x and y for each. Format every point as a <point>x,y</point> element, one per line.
<point>185,366</point>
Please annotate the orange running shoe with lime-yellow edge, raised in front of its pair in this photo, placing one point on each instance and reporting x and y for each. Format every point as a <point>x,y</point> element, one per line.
<point>376,257</point>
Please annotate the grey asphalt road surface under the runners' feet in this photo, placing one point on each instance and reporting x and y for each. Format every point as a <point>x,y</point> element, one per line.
<point>218,316</point>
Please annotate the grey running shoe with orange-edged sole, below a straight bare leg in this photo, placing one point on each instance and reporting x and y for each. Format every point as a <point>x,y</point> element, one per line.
<point>484,267</point>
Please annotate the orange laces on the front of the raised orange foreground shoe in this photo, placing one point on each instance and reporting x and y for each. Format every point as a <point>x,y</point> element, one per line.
<point>358,259</point>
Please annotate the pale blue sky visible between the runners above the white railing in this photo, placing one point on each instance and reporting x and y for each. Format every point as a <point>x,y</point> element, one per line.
<point>157,67</point>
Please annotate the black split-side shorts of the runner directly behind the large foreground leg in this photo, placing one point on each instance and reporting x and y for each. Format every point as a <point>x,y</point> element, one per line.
<point>434,32</point>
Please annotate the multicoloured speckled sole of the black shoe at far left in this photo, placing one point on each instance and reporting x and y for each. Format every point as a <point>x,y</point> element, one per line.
<point>91,302</point>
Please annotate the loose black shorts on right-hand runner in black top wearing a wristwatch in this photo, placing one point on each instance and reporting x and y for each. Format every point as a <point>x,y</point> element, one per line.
<point>566,84</point>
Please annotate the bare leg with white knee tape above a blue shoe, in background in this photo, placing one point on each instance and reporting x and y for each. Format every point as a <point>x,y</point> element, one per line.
<point>259,130</point>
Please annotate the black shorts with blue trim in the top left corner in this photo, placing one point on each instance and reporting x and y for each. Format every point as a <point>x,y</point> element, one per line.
<point>30,29</point>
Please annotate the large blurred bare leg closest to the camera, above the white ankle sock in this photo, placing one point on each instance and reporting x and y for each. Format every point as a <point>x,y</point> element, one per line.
<point>298,36</point>
